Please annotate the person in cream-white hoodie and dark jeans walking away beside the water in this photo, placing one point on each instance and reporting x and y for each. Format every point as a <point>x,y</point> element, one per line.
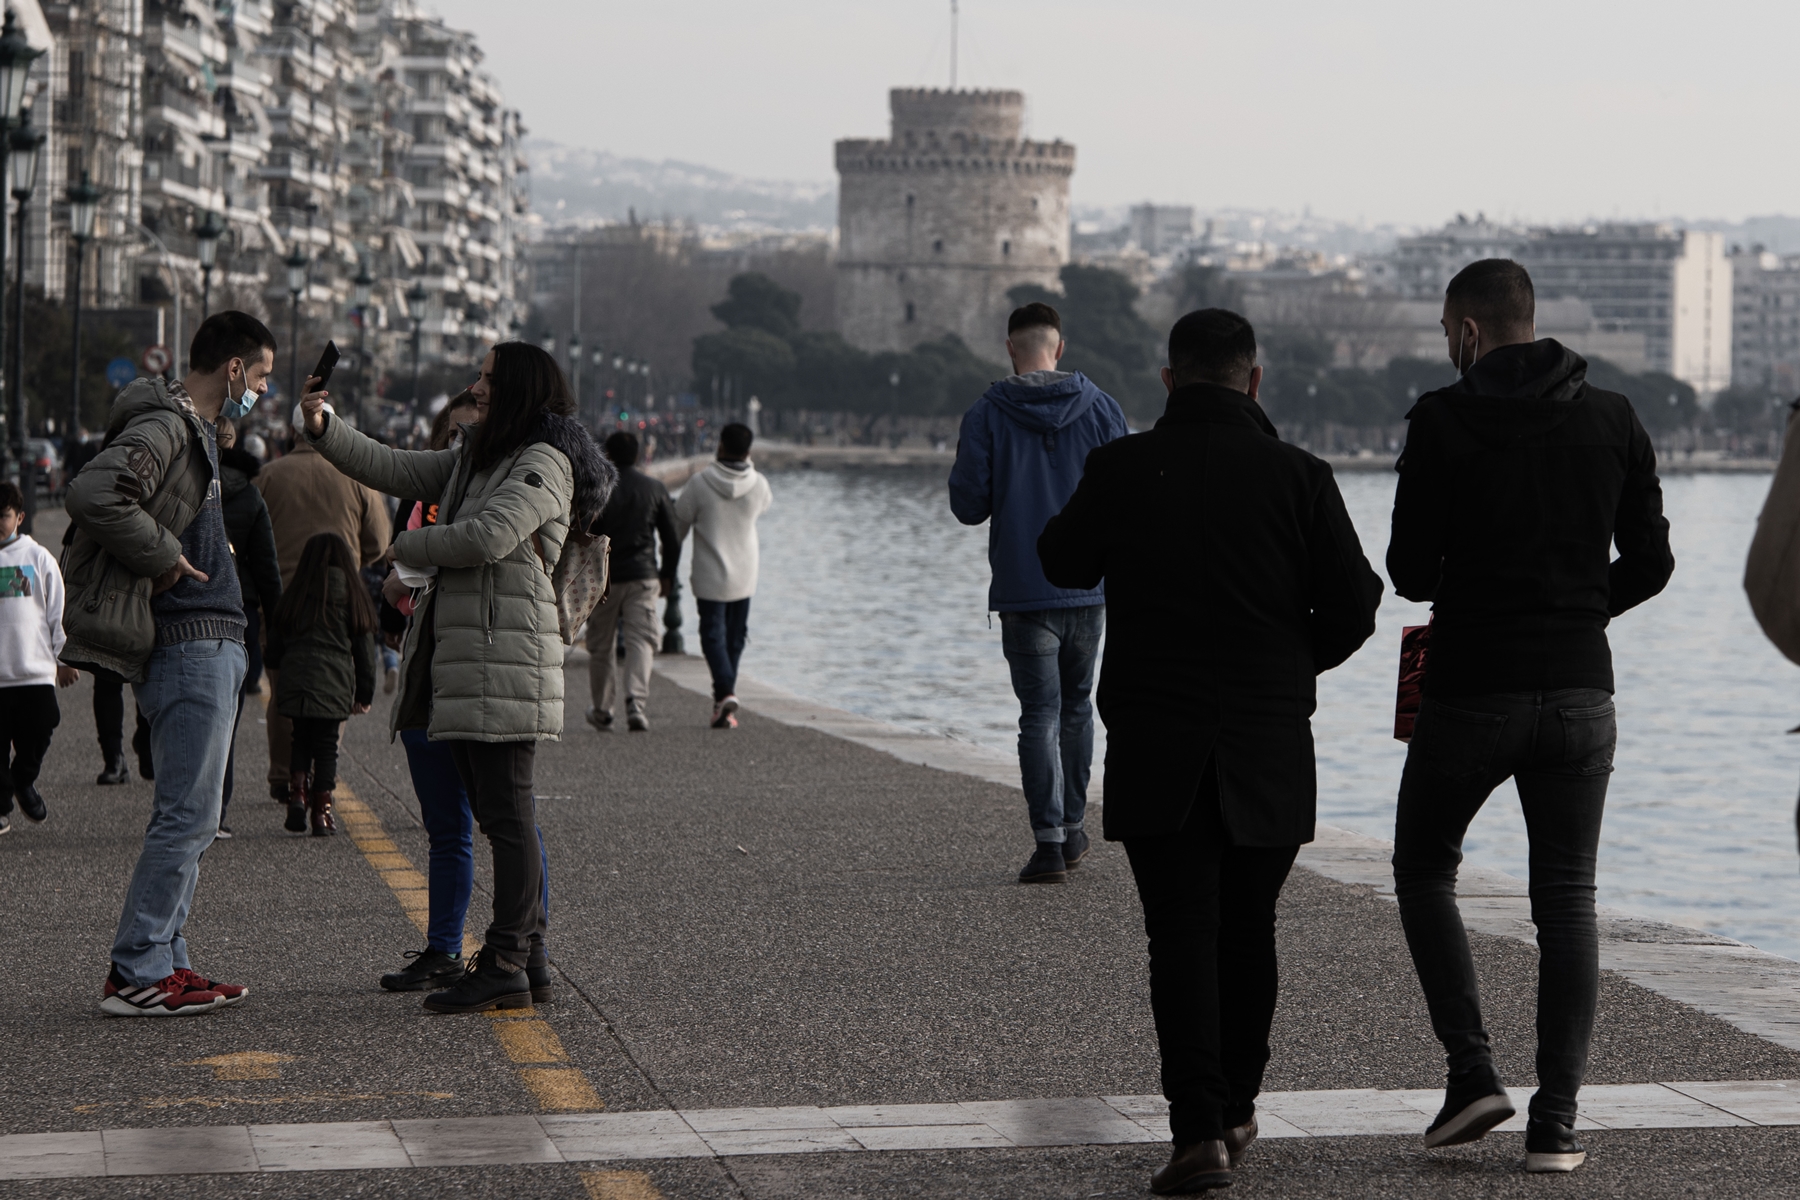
<point>721,505</point>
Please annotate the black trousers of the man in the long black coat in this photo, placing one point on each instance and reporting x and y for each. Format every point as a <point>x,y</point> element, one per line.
<point>1209,908</point>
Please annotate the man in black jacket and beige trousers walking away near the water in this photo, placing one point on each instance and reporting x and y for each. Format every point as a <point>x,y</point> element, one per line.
<point>638,514</point>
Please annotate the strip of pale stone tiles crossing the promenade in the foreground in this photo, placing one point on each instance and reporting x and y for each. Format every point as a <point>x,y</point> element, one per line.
<point>732,1133</point>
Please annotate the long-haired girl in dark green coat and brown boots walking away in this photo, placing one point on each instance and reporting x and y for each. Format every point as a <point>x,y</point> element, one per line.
<point>321,643</point>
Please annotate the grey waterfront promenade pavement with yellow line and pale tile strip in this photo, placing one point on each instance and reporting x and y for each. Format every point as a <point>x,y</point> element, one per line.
<point>793,963</point>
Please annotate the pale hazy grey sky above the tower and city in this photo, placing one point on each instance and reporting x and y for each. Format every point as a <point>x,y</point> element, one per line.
<point>1381,111</point>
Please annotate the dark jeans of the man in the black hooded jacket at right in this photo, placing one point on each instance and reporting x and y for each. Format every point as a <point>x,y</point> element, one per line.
<point>1558,746</point>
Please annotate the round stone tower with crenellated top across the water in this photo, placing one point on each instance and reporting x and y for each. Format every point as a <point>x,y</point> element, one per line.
<point>944,217</point>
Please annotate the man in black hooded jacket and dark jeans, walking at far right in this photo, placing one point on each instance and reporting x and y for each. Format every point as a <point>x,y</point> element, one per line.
<point>1515,487</point>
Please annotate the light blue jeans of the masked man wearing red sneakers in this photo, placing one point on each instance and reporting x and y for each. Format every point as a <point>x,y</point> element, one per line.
<point>192,703</point>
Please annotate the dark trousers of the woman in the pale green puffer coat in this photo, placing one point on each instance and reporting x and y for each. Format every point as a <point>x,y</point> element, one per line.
<point>498,780</point>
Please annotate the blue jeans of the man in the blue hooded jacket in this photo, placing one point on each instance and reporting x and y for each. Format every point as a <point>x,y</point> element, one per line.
<point>1052,656</point>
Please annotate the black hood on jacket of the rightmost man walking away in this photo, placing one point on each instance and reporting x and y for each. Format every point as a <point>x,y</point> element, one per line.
<point>1518,391</point>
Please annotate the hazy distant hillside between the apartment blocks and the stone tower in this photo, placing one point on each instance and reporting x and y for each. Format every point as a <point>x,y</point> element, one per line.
<point>571,184</point>
